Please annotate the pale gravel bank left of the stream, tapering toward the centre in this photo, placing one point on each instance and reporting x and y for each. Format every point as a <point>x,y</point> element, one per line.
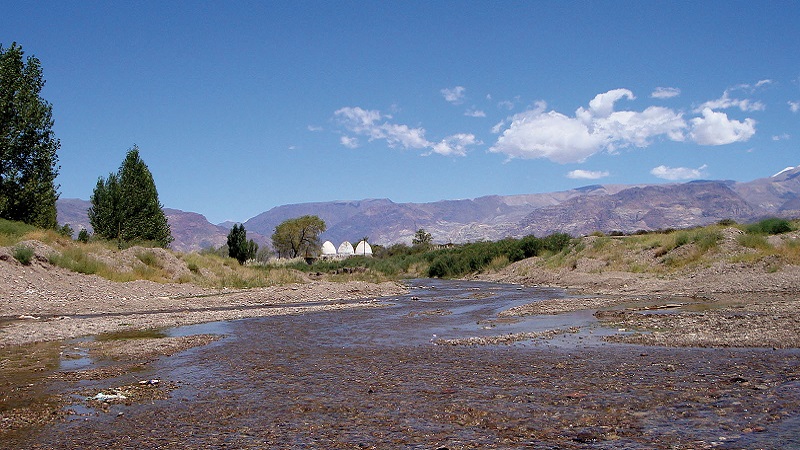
<point>46,303</point>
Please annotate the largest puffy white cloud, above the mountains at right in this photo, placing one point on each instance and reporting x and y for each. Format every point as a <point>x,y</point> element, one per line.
<point>538,133</point>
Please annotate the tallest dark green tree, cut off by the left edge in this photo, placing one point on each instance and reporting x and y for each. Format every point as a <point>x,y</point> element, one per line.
<point>28,146</point>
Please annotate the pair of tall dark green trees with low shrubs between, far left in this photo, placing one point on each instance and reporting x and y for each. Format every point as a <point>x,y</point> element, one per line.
<point>125,205</point>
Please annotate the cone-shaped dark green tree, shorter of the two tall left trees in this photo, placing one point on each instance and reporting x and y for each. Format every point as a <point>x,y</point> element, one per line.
<point>125,206</point>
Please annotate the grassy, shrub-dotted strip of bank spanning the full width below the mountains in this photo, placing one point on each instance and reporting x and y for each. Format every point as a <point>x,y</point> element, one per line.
<point>659,252</point>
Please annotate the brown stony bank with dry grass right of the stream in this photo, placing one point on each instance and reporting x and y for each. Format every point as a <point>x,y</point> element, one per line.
<point>719,303</point>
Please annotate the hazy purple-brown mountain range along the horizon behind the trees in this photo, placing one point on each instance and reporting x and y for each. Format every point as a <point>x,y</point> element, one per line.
<point>606,208</point>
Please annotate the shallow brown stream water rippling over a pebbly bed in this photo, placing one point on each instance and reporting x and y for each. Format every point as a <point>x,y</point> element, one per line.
<point>374,378</point>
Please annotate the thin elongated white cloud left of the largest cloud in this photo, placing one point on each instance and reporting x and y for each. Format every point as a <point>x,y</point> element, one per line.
<point>374,126</point>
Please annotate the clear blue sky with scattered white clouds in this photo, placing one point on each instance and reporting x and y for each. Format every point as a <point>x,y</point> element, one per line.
<point>238,107</point>
